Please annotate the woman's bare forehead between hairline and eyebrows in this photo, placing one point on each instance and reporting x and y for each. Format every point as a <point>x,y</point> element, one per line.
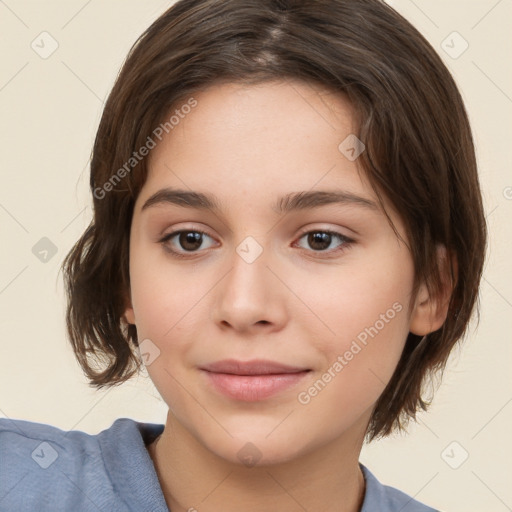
<point>273,133</point>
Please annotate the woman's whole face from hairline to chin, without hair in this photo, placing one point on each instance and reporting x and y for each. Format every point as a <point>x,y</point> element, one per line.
<point>317,288</point>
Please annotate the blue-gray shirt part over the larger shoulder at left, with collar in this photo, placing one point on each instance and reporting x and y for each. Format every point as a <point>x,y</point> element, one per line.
<point>39,462</point>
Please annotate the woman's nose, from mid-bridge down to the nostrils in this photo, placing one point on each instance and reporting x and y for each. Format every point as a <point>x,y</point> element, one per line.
<point>250,297</point>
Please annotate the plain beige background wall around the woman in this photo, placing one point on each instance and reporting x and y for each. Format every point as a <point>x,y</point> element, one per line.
<point>50,108</point>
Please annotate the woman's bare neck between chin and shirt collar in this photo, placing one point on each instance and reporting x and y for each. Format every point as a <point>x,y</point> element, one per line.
<point>192,478</point>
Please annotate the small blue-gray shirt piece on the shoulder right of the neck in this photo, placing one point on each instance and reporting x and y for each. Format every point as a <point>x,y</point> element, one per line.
<point>388,499</point>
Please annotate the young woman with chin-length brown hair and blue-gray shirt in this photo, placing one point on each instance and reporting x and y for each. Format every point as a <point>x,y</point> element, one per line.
<point>288,232</point>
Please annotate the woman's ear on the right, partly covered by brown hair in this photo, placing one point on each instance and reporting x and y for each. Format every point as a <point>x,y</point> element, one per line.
<point>429,313</point>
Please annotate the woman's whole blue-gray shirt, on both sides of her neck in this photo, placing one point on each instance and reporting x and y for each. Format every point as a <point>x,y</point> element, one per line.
<point>43,468</point>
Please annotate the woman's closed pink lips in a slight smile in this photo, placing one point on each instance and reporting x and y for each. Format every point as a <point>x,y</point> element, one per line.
<point>252,381</point>
